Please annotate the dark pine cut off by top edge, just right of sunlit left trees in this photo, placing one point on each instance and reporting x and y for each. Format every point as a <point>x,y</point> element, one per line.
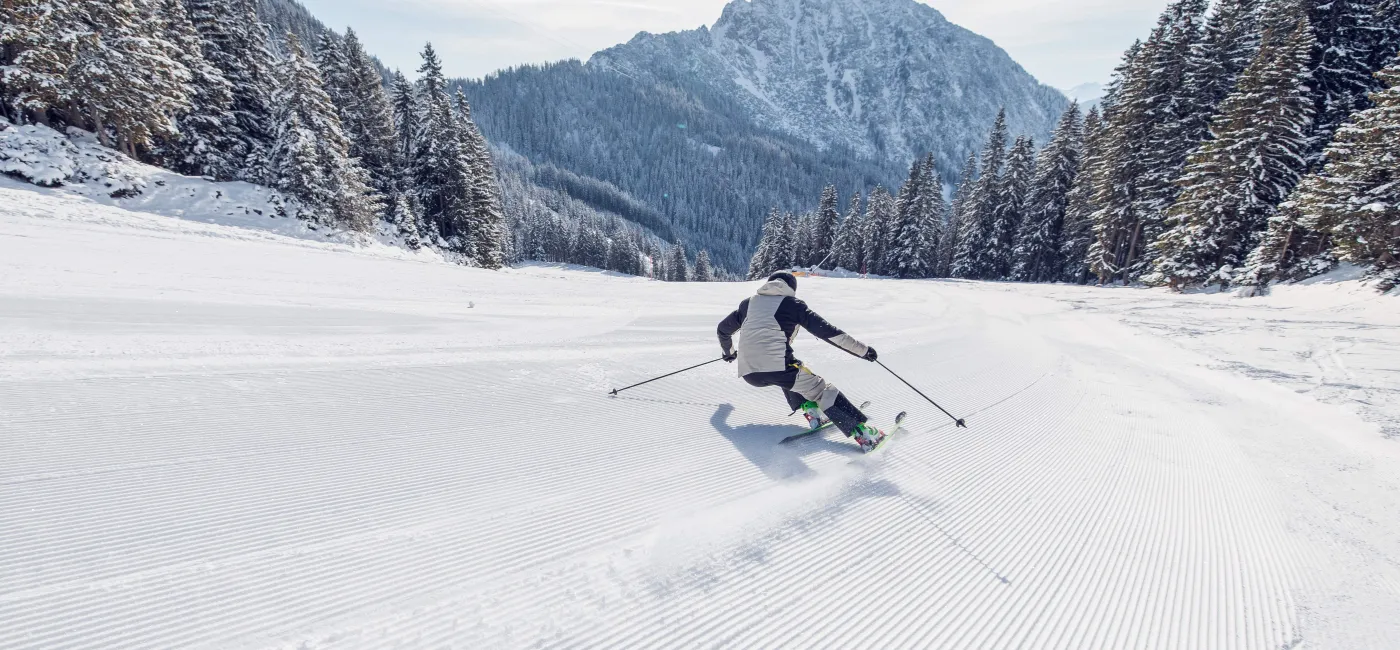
<point>236,43</point>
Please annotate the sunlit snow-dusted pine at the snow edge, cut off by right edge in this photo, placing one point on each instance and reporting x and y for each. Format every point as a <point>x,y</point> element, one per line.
<point>1353,204</point>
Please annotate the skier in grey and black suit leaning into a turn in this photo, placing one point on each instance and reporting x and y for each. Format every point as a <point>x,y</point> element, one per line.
<point>768,324</point>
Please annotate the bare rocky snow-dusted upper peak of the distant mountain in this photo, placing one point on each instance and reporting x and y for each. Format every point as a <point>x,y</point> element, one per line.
<point>884,78</point>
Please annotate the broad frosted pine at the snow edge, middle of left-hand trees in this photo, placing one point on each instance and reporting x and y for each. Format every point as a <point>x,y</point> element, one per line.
<point>311,155</point>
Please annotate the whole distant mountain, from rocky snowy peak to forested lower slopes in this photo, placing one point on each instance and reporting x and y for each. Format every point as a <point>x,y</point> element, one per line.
<point>713,128</point>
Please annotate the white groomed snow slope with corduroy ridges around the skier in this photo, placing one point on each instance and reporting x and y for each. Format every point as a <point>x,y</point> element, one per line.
<point>218,438</point>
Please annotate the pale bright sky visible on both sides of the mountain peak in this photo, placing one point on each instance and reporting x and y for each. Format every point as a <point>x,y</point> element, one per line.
<point>1063,43</point>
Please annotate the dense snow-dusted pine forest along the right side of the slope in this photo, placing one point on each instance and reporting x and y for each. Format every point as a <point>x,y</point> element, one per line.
<point>1238,146</point>
